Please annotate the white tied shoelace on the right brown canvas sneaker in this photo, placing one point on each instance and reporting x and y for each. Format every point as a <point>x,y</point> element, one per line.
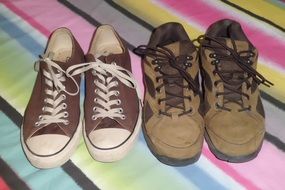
<point>107,74</point>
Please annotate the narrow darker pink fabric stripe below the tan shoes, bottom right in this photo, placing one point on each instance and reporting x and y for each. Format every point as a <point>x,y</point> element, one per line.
<point>229,170</point>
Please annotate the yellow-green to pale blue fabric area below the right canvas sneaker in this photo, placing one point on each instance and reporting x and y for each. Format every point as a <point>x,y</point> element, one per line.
<point>126,173</point>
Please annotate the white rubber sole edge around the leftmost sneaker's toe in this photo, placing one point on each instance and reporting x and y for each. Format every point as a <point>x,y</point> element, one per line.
<point>57,159</point>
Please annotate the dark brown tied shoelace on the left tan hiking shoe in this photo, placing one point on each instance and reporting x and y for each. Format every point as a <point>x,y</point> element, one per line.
<point>162,56</point>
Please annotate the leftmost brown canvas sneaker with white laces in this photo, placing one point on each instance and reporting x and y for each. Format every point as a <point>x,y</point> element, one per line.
<point>51,128</point>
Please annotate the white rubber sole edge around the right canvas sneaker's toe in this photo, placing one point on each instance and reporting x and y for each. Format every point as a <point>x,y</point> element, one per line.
<point>115,154</point>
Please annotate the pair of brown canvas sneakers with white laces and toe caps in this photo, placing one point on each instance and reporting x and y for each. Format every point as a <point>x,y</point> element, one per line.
<point>52,125</point>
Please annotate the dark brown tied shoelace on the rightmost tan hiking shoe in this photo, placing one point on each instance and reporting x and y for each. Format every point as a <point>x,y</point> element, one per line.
<point>232,79</point>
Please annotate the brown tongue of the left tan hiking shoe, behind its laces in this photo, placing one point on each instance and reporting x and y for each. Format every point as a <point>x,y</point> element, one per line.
<point>178,48</point>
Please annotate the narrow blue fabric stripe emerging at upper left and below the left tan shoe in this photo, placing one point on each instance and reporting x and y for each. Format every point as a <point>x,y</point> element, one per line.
<point>192,173</point>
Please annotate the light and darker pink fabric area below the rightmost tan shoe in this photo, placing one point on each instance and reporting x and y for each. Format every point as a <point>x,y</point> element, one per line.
<point>267,170</point>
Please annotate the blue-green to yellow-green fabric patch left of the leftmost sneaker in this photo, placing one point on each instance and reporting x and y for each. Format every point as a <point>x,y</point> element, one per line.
<point>16,73</point>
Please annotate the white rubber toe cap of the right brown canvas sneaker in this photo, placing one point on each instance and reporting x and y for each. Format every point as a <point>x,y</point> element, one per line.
<point>108,137</point>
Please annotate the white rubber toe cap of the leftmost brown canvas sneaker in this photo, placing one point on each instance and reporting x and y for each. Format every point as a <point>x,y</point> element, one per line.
<point>47,144</point>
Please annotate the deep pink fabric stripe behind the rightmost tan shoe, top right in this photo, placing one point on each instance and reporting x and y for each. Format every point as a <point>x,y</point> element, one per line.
<point>202,13</point>
